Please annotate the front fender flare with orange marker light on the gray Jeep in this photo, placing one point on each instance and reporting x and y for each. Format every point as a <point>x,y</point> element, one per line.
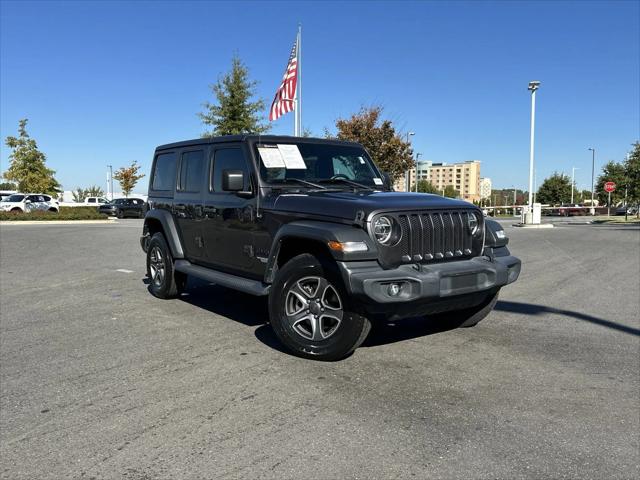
<point>321,232</point>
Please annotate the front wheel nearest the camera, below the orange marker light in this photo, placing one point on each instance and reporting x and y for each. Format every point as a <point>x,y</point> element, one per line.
<point>313,329</point>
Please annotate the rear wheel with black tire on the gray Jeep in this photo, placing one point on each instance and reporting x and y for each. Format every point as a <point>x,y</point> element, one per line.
<point>164,282</point>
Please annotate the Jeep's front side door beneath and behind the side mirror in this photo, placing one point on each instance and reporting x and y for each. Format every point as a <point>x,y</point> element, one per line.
<point>229,217</point>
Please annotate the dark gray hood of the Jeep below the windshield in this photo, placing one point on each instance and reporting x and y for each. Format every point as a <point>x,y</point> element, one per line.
<point>346,204</point>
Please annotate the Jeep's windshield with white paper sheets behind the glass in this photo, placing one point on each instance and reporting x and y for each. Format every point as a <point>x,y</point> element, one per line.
<point>318,164</point>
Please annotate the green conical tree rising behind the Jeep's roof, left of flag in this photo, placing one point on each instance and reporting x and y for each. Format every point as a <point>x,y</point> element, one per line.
<point>234,112</point>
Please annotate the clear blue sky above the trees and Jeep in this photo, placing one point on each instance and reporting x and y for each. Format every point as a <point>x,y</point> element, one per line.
<point>105,82</point>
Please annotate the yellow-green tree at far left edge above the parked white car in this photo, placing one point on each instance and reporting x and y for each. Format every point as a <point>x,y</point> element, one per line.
<point>28,164</point>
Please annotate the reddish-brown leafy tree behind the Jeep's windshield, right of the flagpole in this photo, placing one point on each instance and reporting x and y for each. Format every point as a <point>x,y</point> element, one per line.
<point>390,152</point>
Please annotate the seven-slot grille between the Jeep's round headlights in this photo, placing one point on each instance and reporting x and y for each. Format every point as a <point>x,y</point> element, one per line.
<point>434,236</point>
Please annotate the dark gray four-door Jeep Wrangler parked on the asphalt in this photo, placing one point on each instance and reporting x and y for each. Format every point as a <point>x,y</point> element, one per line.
<point>315,225</point>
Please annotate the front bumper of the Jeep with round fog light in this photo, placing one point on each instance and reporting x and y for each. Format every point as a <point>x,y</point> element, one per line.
<point>416,283</point>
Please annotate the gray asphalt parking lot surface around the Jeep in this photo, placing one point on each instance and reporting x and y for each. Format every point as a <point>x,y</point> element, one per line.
<point>98,379</point>
